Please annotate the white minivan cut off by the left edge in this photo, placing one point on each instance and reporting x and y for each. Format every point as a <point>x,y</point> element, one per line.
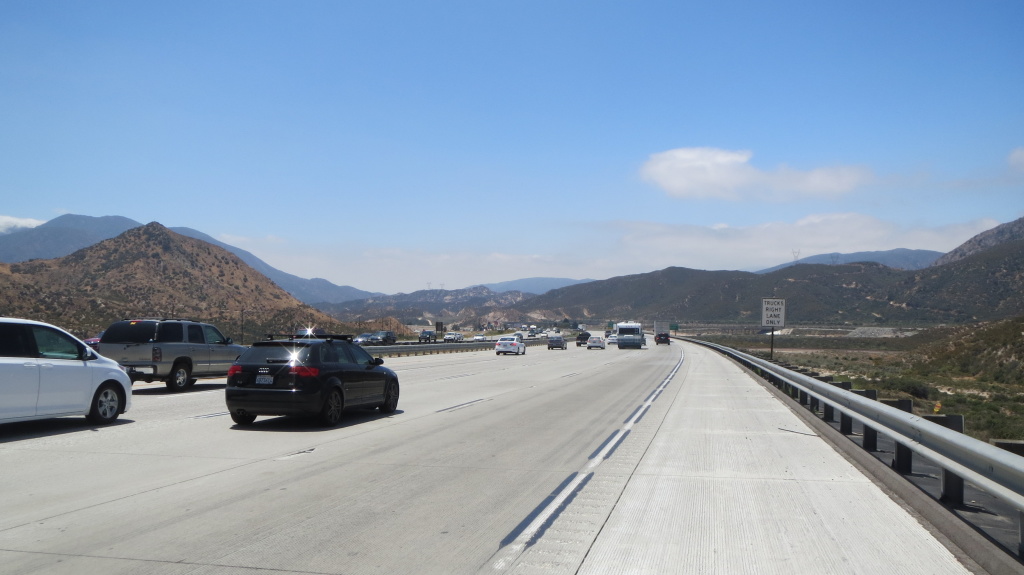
<point>48,373</point>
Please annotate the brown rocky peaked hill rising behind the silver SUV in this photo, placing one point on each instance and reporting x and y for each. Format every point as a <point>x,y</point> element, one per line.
<point>151,272</point>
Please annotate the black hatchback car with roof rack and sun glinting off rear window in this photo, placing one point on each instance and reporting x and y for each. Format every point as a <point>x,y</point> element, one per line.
<point>319,376</point>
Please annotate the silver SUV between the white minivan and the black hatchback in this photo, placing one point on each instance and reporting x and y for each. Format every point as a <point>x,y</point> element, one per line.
<point>177,351</point>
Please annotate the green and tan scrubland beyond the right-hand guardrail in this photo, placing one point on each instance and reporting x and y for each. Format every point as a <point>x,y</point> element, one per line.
<point>975,371</point>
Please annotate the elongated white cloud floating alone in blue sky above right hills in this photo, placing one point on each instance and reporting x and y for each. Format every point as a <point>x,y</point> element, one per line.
<point>709,172</point>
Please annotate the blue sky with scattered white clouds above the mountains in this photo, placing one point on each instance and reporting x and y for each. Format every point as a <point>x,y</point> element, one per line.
<point>389,146</point>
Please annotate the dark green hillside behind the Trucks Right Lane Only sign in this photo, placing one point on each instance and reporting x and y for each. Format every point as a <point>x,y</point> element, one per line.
<point>987,286</point>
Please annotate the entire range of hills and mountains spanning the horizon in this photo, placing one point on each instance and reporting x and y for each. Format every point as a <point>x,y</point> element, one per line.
<point>153,271</point>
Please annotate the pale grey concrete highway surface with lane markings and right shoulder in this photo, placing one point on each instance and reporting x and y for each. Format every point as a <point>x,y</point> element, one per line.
<point>667,460</point>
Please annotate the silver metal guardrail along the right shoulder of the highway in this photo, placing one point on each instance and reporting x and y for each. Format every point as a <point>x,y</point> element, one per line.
<point>990,468</point>
